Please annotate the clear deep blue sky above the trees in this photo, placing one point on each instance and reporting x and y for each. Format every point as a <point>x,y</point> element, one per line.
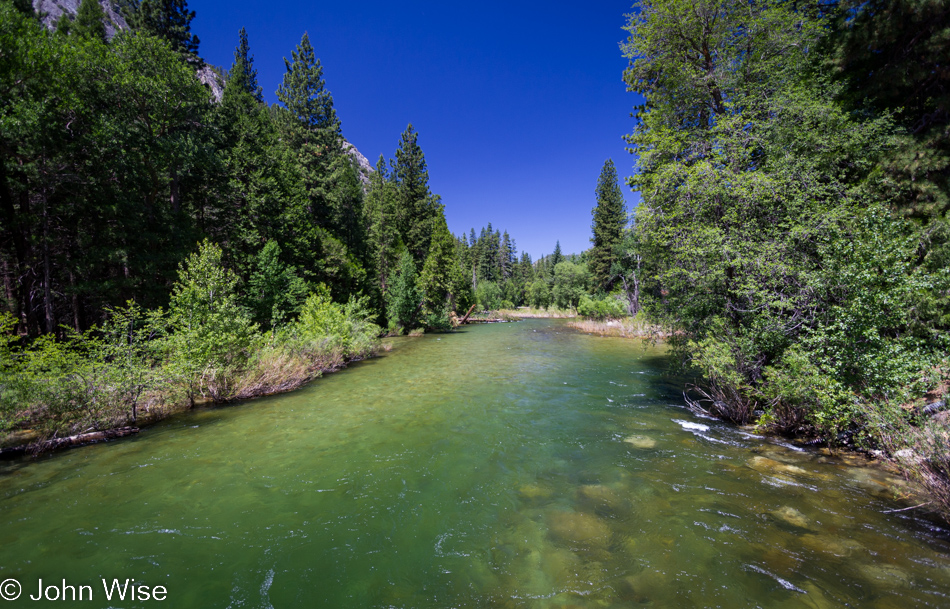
<point>517,104</point>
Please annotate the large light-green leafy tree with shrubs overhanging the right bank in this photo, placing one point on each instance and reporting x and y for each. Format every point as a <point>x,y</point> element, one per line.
<point>762,238</point>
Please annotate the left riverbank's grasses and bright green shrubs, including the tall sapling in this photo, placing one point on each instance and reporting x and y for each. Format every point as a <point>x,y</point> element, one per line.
<point>140,365</point>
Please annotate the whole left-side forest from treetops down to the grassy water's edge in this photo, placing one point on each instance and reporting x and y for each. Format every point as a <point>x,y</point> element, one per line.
<point>163,241</point>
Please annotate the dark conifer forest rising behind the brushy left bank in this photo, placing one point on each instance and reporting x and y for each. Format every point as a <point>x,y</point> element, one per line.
<point>115,163</point>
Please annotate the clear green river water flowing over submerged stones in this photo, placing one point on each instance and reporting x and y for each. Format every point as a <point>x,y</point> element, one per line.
<point>508,465</point>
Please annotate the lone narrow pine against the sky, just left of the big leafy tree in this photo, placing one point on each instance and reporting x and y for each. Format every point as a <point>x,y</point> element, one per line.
<point>610,218</point>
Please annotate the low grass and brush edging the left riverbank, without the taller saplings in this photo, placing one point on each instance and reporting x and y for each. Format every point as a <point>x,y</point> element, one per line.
<point>55,389</point>
